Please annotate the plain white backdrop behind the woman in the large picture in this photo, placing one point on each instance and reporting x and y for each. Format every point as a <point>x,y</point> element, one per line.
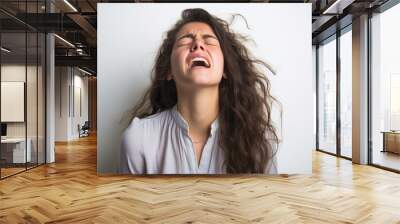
<point>129,36</point>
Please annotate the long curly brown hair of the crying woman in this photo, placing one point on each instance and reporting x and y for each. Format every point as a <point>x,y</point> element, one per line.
<point>247,135</point>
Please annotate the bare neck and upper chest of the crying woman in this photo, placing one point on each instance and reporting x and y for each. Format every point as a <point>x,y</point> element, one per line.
<point>199,109</point>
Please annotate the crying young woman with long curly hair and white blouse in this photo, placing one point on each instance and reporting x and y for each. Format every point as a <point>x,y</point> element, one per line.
<point>208,108</point>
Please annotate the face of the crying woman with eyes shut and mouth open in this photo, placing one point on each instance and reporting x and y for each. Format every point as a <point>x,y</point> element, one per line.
<point>196,59</point>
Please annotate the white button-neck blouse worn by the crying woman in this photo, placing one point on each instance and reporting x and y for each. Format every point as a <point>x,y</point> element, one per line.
<point>160,144</point>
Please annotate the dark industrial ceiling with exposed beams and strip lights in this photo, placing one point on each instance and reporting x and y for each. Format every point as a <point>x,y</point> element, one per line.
<point>76,22</point>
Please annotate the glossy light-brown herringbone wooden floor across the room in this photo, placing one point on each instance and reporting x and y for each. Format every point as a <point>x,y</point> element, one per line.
<point>70,191</point>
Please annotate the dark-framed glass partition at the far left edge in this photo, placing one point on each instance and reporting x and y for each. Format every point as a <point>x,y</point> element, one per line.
<point>22,63</point>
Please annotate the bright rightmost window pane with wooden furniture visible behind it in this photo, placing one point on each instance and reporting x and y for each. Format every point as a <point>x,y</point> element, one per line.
<point>385,89</point>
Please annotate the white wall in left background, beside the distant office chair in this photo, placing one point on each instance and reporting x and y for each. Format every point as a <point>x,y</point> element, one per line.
<point>68,81</point>
